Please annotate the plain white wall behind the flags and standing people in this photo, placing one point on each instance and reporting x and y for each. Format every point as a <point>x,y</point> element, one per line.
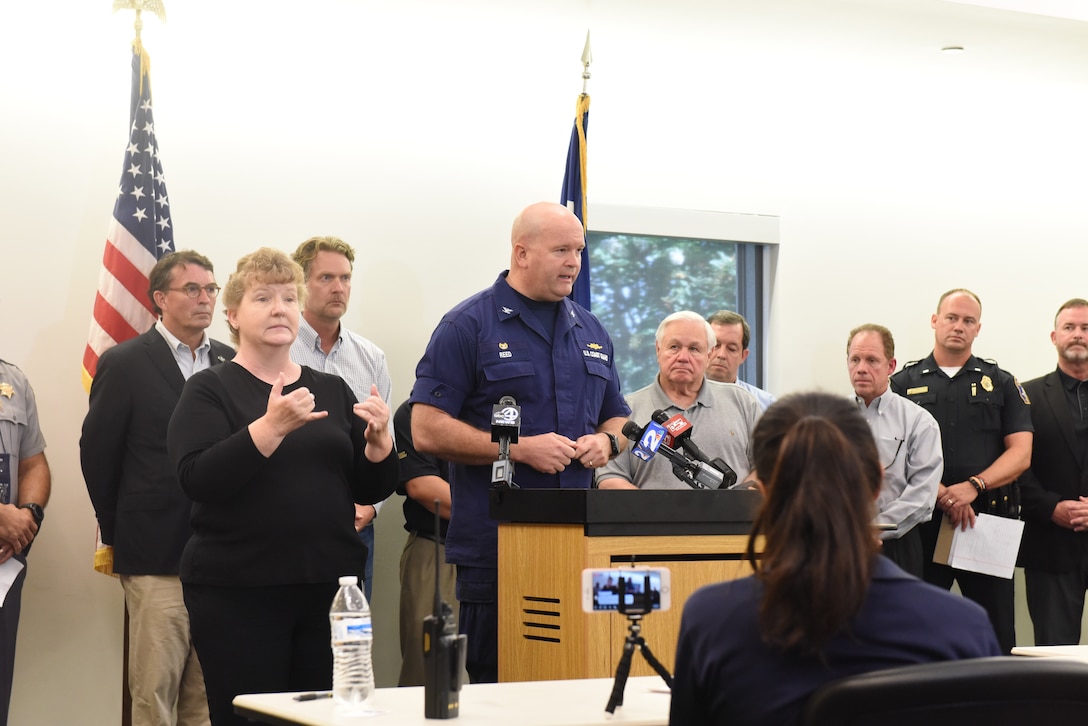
<point>417,130</point>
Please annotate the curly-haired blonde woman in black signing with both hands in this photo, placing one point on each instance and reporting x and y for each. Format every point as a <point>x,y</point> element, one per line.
<point>275,457</point>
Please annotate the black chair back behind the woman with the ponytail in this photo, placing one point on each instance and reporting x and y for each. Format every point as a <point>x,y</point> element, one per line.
<point>995,692</point>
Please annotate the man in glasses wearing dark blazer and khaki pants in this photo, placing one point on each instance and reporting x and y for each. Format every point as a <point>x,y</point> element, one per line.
<point>142,512</point>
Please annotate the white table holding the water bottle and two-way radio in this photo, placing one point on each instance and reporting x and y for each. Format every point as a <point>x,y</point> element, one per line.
<point>528,704</point>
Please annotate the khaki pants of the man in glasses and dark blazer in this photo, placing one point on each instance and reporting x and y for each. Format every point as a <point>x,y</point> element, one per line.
<point>164,670</point>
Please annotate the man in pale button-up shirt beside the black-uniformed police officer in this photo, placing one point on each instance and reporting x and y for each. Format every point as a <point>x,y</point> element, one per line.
<point>909,441</point>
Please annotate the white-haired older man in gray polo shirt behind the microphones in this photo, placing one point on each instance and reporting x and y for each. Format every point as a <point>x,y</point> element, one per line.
<point>722,416</point>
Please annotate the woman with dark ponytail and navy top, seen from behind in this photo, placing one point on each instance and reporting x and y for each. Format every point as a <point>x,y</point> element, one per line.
<point>823,605</point>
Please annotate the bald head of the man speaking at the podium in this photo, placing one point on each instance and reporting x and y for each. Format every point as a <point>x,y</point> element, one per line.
<point>547,243</point>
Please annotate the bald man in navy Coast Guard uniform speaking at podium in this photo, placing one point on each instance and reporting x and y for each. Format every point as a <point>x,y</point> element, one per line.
<point>522,338</point>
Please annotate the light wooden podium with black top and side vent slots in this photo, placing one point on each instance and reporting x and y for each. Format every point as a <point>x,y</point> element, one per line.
<point>547,537</point>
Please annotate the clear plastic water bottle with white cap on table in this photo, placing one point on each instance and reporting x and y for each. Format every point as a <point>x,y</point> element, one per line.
<point>352,639</point>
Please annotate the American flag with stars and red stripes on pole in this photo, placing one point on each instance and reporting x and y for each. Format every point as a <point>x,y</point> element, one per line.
<point>140,233</point>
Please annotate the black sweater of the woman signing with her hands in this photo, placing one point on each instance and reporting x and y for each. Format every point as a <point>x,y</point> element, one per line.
<point>285,520</point>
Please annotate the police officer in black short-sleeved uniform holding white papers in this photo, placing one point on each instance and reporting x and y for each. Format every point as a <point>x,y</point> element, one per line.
<point>986,434</point>
